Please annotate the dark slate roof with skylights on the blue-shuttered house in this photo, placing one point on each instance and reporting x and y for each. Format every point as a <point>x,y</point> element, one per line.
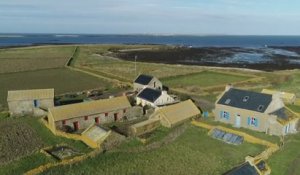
<point>243,99</point>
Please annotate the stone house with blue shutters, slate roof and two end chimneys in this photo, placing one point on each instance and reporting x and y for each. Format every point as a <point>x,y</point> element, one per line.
<point>256,111</point>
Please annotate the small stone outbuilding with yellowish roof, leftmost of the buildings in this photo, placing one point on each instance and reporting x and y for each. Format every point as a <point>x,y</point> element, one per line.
<point>30,102</point>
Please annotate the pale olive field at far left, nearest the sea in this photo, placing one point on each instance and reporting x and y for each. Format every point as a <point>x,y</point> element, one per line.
<point>34,58</point>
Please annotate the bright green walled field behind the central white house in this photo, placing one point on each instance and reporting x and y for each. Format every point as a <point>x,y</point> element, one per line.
<point>202,79</point>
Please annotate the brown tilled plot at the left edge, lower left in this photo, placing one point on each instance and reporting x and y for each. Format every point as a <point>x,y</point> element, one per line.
<point>17,140</point>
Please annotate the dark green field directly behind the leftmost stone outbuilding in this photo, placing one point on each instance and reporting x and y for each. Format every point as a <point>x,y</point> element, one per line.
<point>63,80</point>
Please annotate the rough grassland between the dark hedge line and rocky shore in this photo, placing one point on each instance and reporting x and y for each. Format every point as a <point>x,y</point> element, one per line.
<point>94,57</point>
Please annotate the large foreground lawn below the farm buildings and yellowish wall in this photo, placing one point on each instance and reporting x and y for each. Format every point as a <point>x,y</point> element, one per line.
<point>194,152</point>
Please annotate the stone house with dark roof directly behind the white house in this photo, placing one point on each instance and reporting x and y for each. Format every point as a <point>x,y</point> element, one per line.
<point>143,81</point>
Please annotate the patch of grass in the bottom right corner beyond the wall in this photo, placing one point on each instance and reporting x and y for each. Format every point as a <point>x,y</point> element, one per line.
<point>287,160</point>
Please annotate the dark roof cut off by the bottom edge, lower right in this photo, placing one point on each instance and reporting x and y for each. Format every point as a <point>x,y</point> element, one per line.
<point>244,169</point>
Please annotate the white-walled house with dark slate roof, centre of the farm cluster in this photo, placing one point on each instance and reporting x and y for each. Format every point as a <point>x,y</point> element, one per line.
<point>153,97</point>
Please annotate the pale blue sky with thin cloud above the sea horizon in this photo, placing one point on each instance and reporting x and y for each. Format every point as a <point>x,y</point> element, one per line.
<point>191,17</point>
